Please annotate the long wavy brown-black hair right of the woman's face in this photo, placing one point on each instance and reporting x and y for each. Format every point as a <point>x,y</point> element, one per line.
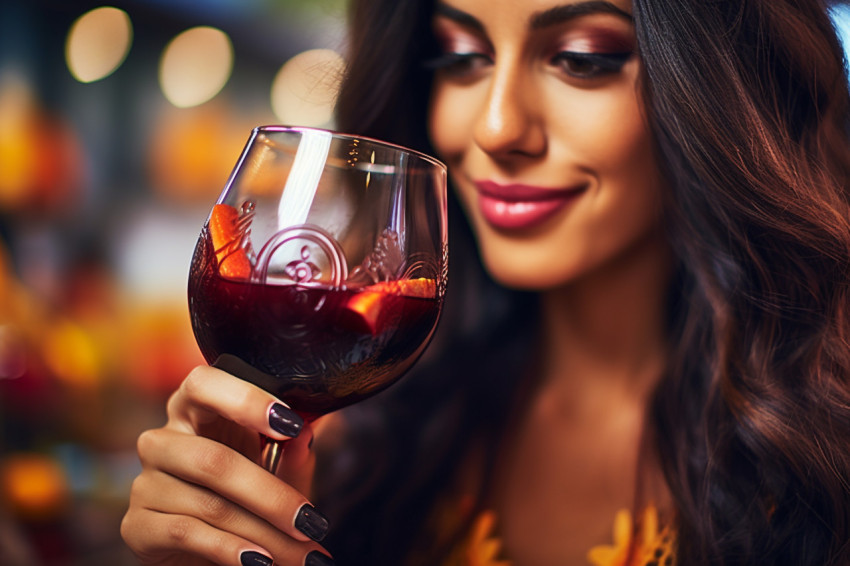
<point>749,107</point>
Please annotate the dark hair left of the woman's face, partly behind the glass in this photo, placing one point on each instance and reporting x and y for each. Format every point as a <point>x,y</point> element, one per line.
<point>401,449</point>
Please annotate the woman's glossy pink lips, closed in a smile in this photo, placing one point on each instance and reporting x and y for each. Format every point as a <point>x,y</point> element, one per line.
<point>518,207</point>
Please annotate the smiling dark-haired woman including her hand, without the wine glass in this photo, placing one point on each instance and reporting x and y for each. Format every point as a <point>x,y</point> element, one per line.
<point>658,194</point>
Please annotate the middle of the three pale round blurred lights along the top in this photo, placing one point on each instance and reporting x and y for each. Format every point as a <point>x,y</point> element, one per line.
<point>195,66</point>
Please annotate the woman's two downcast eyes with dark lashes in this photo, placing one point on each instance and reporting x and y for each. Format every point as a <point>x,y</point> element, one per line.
<point>575,64</point>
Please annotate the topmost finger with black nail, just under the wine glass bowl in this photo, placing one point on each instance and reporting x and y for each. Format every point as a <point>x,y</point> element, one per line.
<point>208,394</point>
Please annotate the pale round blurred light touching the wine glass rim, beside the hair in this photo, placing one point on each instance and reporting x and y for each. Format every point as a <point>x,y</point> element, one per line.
<point>305,88</point>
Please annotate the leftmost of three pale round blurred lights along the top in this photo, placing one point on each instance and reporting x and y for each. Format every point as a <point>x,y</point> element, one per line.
<point>97,43</point>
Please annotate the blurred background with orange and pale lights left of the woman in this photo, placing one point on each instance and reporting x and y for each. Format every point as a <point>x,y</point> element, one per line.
<point>119,125</point>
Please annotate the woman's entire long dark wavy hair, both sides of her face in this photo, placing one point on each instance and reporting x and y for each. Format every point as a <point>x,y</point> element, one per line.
<point>749,107</point>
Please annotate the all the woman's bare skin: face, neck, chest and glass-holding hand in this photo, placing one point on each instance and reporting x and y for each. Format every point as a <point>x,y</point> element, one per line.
<point>514,112</point>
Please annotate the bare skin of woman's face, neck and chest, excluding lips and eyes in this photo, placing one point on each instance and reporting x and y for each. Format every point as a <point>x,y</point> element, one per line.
<point>516,113</point>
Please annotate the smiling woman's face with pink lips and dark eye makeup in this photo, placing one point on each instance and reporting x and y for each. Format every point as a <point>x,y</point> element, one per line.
<point>536,110</point>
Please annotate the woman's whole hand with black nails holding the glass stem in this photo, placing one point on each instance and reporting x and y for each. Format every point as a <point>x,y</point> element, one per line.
<point>202,498</point>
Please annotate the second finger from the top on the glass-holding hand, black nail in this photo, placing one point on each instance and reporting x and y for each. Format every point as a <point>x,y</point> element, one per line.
<point>222,470</point>
